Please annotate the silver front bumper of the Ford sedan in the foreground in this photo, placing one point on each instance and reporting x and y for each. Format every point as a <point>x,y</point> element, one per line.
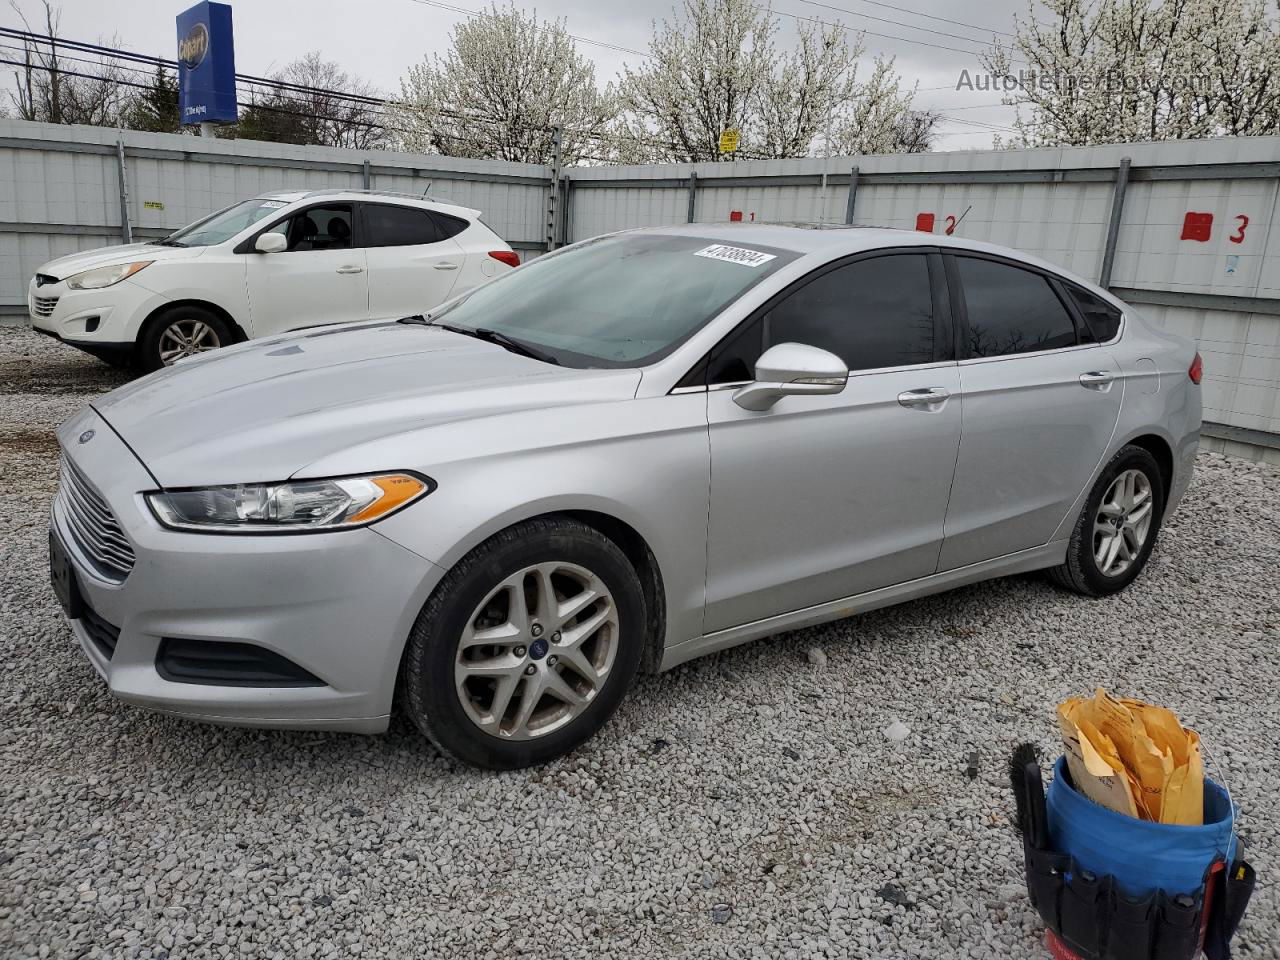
<point>339,605</point>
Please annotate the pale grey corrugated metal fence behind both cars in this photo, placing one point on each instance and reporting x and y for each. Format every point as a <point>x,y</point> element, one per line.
<point>1187,231</point>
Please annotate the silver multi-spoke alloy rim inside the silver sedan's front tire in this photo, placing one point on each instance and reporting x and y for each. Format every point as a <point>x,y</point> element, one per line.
<point>537,651</point>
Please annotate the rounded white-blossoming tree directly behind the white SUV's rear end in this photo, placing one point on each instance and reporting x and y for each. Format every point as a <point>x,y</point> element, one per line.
<point>506,84</point>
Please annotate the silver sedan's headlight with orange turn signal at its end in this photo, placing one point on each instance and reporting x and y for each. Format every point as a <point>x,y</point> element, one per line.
<point>290,508</point>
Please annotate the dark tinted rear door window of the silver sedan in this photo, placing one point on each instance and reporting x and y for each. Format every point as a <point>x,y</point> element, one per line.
<point>1012,310</point>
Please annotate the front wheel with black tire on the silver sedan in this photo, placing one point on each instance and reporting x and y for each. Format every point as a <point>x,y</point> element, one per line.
<point>454,683</point>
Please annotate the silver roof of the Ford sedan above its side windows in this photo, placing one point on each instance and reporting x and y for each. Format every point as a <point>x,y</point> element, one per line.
<point>833,241</point>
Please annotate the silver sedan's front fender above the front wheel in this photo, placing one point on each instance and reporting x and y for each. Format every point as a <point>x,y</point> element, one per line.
<point>642,463</point>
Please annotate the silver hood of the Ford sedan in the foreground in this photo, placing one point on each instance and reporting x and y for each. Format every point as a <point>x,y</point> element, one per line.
<point>264,410</point>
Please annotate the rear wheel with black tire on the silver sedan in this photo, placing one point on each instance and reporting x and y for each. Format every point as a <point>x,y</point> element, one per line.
<point>1084,572</point>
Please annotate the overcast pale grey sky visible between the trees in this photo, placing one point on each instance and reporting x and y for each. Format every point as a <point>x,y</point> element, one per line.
<point>381,39</point>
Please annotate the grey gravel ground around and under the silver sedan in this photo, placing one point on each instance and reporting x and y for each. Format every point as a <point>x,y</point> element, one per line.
<point>748,804</point>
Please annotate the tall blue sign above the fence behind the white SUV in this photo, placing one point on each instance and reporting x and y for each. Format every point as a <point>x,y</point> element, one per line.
<point>207,65</point>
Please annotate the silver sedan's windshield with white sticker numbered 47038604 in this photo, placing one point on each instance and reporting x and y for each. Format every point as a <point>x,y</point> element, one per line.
<point>619,301</point>
